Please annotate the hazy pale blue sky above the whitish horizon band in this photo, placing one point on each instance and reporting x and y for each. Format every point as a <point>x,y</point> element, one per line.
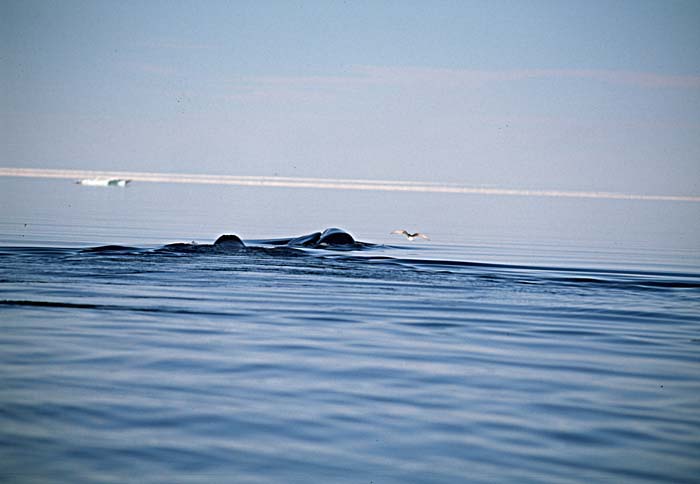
<point>551,95</point>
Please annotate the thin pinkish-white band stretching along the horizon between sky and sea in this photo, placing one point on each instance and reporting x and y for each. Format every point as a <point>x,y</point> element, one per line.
<point>330,183</point>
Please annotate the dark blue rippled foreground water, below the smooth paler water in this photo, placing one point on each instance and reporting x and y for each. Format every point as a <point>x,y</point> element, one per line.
<point>272,364</point>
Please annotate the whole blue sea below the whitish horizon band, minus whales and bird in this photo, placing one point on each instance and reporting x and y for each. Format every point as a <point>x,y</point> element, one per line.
<point>531,340</point>
